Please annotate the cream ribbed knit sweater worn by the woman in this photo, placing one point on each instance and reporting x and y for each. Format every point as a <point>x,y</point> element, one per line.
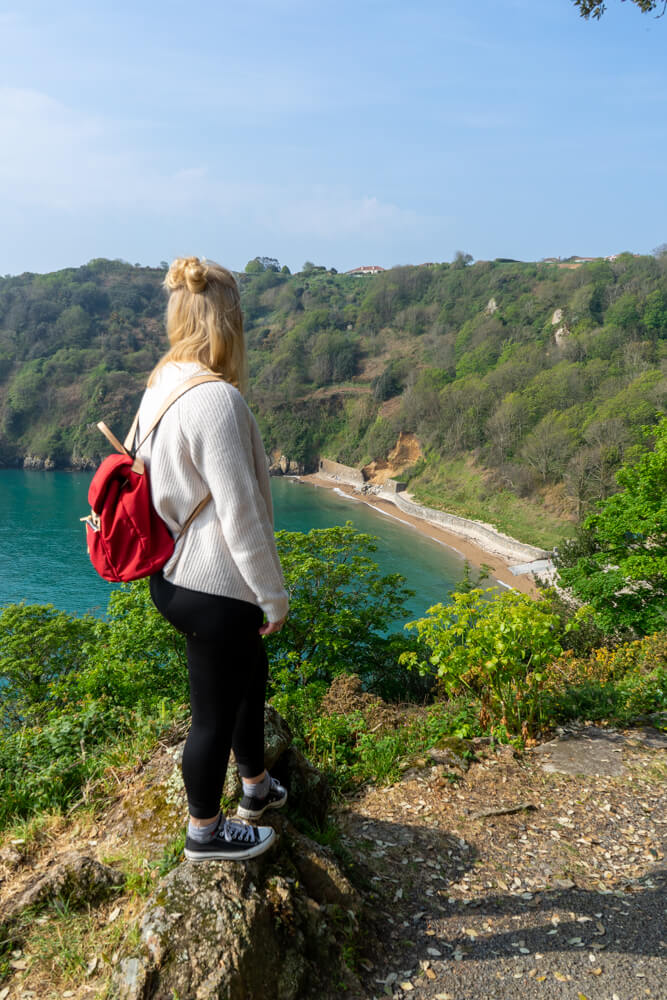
<point>209,440</point>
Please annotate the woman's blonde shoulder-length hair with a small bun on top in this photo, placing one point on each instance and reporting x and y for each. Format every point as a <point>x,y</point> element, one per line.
<point>204,320</point>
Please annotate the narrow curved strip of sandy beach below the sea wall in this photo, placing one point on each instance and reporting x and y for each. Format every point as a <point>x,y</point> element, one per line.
<point>475,554</point>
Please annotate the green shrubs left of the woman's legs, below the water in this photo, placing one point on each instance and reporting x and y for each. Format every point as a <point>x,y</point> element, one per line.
<point>79,695</point>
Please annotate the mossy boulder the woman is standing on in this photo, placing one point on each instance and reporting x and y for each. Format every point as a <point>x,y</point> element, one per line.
<point>271,927</point>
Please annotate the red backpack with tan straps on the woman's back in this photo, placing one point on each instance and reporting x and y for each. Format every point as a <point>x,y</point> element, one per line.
<point>126,537</point>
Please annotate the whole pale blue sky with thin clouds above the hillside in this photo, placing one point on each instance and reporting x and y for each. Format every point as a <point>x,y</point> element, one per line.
<point>346,133</point>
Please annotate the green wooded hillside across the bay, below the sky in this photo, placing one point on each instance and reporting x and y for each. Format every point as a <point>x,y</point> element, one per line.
<point>526,385</point>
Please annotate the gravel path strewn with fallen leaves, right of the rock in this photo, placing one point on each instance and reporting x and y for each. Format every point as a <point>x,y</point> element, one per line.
<point>563,897</point>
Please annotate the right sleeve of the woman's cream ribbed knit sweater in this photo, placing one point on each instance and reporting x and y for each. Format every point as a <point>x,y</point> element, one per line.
<point>226,448</point>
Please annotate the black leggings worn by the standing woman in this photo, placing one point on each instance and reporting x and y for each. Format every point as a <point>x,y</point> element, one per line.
<point>228,671</point>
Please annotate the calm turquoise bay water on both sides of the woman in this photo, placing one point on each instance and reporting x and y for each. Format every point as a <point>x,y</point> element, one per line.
<point>43,557</point>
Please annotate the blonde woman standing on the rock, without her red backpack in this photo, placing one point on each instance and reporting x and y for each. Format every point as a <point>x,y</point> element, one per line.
<point>225,574</point>
